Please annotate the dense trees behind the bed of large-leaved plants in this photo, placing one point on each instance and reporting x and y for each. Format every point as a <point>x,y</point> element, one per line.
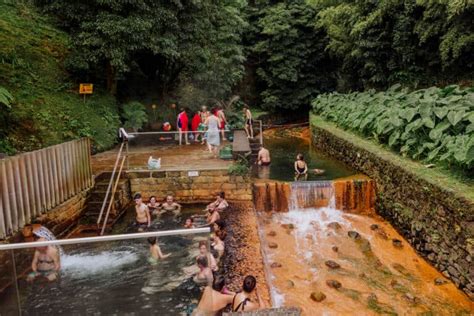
<point>301,48</point>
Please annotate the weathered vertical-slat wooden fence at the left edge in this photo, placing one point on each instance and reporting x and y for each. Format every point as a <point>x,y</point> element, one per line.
<point>35,182</point>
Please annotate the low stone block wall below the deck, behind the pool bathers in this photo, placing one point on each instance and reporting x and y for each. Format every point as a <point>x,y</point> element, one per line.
<point>191,188</point>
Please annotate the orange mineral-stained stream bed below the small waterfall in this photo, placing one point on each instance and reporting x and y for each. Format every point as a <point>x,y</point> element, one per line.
<point>375,276</point>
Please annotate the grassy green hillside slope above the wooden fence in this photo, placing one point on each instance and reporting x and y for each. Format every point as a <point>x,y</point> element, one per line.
<point>46,109</point>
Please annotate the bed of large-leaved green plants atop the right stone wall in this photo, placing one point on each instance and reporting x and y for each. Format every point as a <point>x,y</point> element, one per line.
<point>434,124</point>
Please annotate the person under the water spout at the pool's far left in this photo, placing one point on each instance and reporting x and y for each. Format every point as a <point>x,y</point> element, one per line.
<point>46,263</point>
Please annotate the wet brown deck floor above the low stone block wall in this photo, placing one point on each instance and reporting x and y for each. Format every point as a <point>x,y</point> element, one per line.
<point>173,157</point>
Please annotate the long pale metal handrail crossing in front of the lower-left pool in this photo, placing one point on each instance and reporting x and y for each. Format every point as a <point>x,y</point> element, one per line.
<point>85,240</point>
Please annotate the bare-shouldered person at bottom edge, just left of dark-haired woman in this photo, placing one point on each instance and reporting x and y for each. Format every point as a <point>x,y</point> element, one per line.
<point>213,300</point>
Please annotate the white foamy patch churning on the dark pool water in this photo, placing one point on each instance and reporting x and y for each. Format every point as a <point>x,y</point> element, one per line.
<point>84,264</point>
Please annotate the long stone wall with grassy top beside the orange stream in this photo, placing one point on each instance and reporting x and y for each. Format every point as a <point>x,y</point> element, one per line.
<point>436,220</point>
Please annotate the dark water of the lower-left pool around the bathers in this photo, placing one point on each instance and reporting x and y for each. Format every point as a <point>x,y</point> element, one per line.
<point>118,278</point>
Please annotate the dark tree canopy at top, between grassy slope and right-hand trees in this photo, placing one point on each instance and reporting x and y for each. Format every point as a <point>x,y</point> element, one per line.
<point>168,43</point>
